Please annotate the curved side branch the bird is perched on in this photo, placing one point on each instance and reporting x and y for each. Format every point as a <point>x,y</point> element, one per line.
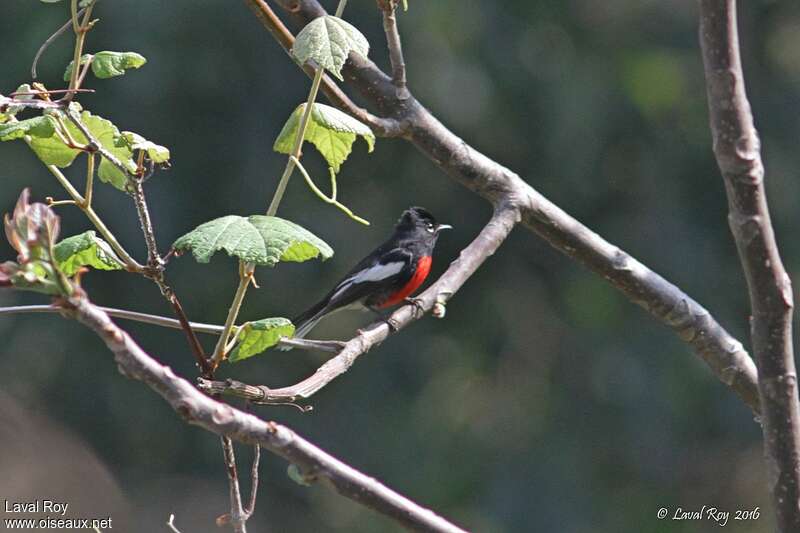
<point>471,258</point>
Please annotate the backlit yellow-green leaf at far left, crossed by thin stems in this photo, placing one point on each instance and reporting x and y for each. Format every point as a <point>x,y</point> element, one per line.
<point>53,151</point>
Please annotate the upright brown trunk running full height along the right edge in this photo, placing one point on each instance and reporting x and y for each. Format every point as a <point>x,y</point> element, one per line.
<point>737,149</point>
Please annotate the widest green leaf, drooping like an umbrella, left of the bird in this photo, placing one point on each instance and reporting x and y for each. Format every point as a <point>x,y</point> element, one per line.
<point>258,239</point>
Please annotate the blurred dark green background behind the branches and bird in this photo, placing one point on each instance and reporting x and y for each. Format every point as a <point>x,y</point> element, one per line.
<point>545,401</point>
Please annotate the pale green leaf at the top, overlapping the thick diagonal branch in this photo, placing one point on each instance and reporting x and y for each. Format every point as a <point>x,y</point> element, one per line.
<point>328,41</point>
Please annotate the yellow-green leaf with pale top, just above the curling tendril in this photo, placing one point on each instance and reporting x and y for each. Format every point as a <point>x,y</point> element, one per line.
<point>330,130</point>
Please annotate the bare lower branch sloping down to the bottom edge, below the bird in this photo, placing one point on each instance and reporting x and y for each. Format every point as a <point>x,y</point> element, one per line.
<point>197,408</point>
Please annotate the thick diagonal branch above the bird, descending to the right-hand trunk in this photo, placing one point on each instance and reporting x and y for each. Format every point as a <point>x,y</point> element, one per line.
<point>692,323</point>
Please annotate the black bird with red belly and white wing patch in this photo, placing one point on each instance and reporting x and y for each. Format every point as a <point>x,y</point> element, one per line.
<point>385,277</point>
